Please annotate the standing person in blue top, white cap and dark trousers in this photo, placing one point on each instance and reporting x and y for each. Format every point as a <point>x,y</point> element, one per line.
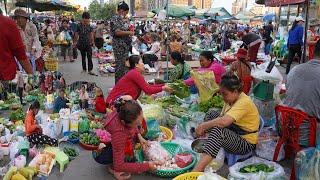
<point>295,41</point>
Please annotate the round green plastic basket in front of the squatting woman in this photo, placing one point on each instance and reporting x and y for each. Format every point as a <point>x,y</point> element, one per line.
<point>174,149</point>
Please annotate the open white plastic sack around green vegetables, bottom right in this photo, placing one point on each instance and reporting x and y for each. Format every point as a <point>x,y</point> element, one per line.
<point>278,172</point>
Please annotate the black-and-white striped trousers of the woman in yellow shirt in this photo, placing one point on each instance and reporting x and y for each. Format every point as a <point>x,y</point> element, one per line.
<point>230,141</point>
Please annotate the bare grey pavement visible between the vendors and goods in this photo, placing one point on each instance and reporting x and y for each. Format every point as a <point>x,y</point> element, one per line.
<point>84,167</point>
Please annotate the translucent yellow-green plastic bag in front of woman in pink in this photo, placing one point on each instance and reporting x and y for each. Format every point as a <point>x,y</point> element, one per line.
<point>206,84</point>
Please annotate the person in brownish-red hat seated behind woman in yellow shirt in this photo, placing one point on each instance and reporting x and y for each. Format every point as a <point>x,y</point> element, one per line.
<point>242,68</point>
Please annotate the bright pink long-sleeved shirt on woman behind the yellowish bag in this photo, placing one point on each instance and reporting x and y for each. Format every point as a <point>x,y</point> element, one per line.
<point>217,69</point>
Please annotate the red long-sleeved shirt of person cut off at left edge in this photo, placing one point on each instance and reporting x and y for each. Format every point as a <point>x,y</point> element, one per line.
<point>11,46</point>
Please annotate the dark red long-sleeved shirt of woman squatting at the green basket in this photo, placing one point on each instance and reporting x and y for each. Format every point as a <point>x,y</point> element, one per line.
<point>120,136</point>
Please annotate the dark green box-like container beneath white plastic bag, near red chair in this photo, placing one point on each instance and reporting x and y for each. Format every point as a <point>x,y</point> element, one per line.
<point>263,91</point>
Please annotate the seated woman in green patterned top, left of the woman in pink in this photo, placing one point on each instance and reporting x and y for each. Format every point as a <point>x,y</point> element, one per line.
<point>181,70</point>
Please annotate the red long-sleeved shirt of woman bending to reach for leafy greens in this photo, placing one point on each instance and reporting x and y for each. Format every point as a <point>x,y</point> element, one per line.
<point>132,84</point>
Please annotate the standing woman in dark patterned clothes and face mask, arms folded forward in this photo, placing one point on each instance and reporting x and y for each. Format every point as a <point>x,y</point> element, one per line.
<point>121,41</point>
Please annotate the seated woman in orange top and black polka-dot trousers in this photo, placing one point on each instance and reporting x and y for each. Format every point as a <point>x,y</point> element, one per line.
<point>34,131</point>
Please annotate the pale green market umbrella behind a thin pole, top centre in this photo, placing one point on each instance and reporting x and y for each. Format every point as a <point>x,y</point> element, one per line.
<point>178,11</point>
